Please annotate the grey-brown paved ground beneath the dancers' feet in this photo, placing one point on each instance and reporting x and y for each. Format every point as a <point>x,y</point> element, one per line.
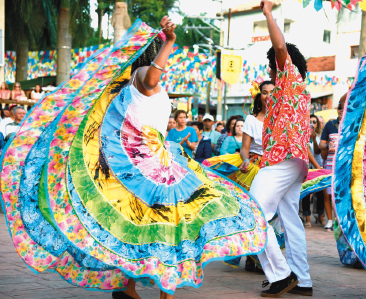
<point>330,278</point>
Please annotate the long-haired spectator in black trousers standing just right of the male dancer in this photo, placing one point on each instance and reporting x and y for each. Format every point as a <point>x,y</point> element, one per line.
<point>316,162</point>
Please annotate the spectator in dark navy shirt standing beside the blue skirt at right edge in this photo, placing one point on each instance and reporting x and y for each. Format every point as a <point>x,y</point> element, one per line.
<point>328,144</point>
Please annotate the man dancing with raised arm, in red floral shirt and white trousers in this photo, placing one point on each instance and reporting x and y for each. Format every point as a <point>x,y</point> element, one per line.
<point>286,136</point>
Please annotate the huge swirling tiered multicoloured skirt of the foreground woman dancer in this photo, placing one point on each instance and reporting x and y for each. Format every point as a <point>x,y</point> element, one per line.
<point>99,200</point>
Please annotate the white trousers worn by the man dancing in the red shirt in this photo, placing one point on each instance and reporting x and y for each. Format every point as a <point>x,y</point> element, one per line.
<point>277,188</point>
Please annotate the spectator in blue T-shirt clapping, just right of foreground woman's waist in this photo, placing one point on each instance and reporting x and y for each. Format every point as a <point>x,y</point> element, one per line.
<point>185,136</point>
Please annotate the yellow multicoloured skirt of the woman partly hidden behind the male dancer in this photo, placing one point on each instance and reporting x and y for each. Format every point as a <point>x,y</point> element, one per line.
<point>228,165</point>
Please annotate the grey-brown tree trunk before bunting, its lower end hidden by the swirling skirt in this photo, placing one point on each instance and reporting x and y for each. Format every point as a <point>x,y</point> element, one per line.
<point>63,43</point>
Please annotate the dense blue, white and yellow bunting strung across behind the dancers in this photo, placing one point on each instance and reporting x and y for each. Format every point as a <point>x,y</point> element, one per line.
<point>185,72</point>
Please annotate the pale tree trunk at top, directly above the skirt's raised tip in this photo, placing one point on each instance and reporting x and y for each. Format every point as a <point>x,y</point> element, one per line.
<point>120,20</point>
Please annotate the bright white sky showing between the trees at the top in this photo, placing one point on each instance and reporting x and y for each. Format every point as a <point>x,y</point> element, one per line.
<point>189,7</point>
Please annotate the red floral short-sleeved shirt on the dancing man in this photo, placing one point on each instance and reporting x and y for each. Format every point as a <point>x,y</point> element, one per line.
<point>286,132</point>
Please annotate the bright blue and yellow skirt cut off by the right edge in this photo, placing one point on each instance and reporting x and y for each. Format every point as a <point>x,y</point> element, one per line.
<point>349,165</point>
